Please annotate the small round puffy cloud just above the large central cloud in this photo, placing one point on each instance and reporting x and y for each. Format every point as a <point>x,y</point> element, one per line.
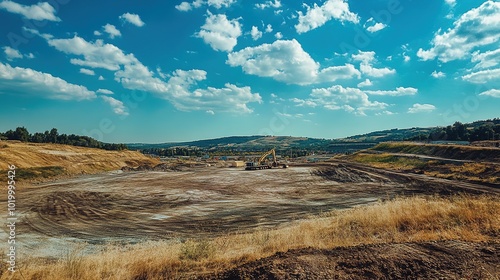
<point>220,33</point>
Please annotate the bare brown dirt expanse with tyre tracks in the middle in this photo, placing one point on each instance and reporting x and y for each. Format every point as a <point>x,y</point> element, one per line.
<point>202,202</point>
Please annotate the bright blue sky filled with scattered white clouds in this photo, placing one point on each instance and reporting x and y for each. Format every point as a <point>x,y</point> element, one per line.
<point>122,71</point>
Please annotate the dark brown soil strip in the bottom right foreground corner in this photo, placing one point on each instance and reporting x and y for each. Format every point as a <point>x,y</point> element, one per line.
<point>428,260</point>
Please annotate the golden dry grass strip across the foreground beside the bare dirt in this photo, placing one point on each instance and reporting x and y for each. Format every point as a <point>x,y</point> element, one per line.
<point>400,220</point>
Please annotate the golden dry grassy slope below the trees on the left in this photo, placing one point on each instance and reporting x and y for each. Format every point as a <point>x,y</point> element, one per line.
<point>40,161</point>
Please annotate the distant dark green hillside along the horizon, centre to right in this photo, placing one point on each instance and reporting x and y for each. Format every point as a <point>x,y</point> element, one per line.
<point>480,130</point>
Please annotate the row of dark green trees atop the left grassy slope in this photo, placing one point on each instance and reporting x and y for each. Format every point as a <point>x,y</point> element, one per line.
<point>53,136</point>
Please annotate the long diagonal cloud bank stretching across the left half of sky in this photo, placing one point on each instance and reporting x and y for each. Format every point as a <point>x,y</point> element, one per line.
<point>180,89</point>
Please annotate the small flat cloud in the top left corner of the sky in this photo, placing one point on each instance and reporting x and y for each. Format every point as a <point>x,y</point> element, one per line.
<point>39,11</point>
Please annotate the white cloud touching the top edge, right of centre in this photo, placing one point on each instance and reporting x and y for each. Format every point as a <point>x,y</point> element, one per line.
<point>318,15</point>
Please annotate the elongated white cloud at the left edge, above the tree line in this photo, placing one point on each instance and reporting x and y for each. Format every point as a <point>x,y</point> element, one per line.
<point>26,80</point>
